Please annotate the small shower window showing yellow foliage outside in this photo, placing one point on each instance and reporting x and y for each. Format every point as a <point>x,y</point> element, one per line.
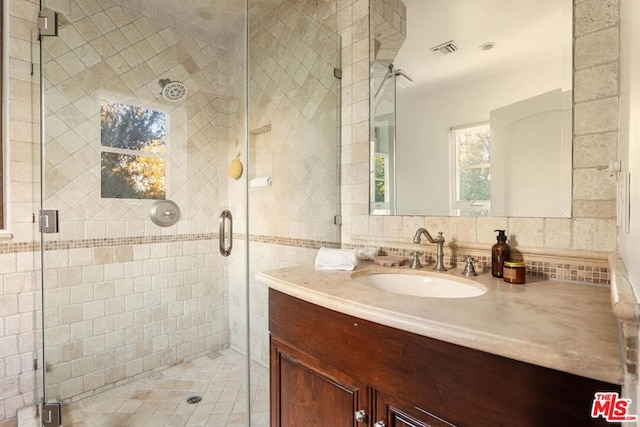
<point>133,151</point>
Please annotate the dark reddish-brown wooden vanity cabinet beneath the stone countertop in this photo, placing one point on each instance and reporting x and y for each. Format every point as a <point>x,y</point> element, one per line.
<point>326,366</point>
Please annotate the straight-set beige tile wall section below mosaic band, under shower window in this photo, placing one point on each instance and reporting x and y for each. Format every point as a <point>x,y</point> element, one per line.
<point>114,314</point>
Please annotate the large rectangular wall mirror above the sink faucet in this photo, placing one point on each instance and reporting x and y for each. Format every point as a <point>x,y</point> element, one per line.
<point>471,108</point>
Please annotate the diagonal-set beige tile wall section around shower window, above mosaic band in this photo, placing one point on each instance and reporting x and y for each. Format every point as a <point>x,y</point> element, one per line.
<point>118,53</point>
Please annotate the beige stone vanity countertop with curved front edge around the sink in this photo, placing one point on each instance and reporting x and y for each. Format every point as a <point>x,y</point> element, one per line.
<point>560,325</point>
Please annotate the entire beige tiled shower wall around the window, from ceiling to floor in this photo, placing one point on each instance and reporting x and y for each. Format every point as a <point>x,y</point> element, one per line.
<point>124,297</point>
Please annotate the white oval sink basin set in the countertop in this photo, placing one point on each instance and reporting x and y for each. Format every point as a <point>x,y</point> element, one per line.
<point>420,284</point>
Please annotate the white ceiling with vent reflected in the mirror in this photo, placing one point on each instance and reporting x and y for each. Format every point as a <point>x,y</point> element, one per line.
<point>525,32</point>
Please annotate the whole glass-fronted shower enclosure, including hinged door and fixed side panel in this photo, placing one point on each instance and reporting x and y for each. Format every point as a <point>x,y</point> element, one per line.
<point>144,104</point>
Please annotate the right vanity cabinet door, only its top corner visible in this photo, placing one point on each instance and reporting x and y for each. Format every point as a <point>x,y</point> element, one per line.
<point>390,411</point>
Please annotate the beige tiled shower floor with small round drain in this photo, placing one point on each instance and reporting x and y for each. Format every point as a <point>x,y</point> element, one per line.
<point>160,399</point>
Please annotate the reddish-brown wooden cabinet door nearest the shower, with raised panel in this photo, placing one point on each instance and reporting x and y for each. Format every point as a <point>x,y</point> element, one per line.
<point>306,393</point>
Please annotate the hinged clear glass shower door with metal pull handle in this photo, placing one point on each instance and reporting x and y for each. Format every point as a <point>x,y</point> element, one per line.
<point>142,110</point>
